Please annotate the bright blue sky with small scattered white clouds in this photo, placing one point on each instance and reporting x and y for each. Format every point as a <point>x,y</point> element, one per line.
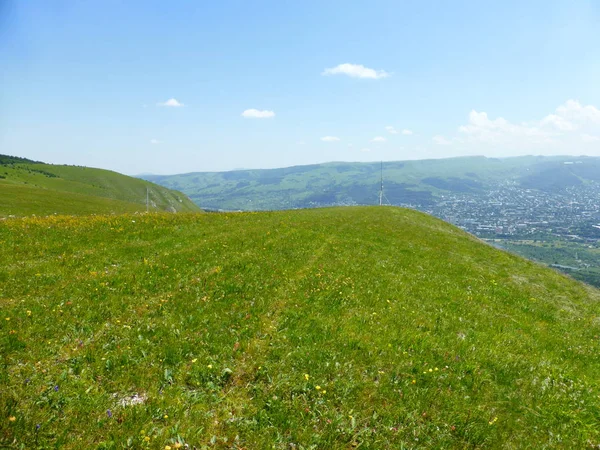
<point>162,87</point>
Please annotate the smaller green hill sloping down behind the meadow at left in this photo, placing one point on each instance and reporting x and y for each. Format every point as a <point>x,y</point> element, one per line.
<point>29,187</point>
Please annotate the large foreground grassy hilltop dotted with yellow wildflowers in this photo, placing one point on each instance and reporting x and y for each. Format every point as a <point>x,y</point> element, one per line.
<point>327,328</point>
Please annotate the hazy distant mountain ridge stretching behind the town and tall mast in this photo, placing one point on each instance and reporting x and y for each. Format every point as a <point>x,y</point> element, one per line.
<point>419,183</point>
